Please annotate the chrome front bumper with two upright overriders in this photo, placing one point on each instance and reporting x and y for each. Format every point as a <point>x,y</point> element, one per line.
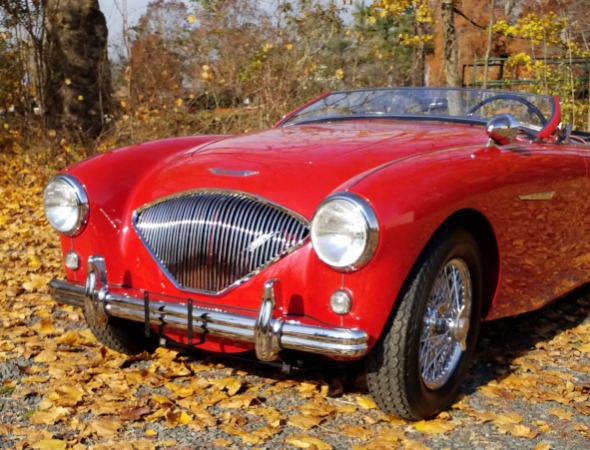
<point>269,335</point>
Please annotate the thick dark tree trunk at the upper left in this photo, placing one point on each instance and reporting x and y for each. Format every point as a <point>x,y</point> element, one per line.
<point>78,81</point>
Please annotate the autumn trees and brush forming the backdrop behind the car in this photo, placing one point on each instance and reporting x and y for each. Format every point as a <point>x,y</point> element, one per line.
<point>231,65</point>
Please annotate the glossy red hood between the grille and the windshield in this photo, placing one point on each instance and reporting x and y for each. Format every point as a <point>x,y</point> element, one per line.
<point>298,166</point>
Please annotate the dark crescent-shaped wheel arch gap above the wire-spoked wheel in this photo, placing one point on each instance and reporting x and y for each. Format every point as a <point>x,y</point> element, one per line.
<point>481,229</point>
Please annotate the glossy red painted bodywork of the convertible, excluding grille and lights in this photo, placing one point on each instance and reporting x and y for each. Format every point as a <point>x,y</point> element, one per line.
<point>415,176</point>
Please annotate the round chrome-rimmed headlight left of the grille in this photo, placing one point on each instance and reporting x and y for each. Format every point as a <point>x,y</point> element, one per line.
<point>65,203</point>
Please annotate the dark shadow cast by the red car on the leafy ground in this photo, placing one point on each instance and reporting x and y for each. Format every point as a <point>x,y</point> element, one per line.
<point>501,342</point>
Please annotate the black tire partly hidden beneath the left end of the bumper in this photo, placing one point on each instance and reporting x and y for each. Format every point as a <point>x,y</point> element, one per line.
<point>123,336</point>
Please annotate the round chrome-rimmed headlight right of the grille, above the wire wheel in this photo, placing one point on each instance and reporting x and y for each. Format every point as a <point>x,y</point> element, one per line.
<point>344,231</point>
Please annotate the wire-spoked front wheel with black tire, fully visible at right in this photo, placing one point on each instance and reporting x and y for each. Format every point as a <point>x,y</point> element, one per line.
<point>396,378</point>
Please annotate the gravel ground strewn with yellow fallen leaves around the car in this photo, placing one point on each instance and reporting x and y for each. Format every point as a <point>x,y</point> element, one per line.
<point>59,389</point>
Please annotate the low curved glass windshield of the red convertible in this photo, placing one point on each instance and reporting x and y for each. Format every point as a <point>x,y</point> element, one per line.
<point>533,112</point>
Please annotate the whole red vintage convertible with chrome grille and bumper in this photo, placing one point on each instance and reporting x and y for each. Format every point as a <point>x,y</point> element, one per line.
<point>375,224</point>
